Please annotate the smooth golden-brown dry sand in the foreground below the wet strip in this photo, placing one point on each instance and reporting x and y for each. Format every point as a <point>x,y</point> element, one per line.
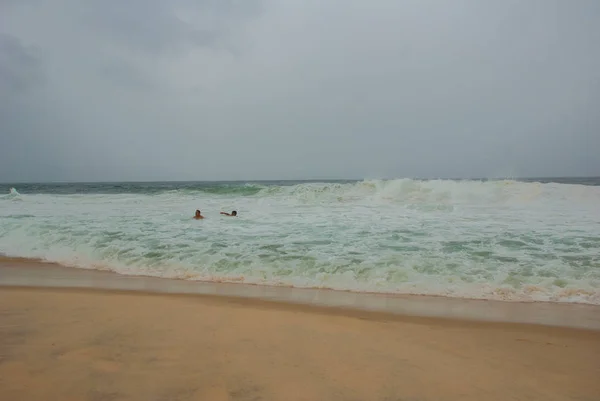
<point>100,344</point>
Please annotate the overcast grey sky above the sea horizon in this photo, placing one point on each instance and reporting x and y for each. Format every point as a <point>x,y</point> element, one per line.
<point>130,90</point>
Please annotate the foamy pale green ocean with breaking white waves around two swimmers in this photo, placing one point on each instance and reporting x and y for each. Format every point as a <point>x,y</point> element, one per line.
<point>513,240</point>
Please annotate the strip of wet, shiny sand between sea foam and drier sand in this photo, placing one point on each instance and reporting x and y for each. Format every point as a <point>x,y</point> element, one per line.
<point>27,273</point>
